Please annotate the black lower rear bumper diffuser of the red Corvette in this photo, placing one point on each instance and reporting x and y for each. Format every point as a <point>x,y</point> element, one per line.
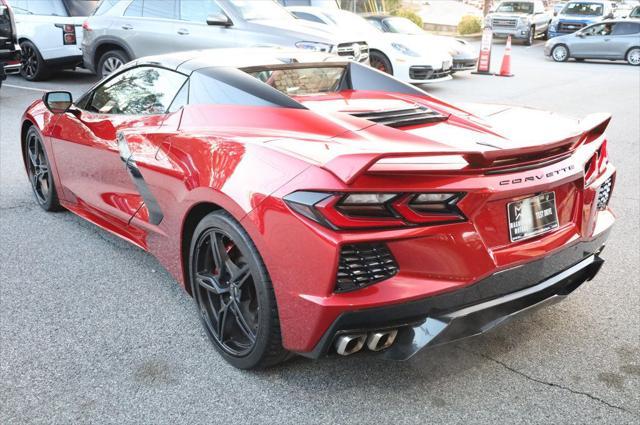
<point>474,309</point>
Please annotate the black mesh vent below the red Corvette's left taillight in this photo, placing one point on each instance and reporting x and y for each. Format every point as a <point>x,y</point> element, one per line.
<point>364,264</point>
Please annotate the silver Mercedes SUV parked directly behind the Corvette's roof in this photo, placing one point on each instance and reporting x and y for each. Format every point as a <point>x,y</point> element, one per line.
<point>123,30</point>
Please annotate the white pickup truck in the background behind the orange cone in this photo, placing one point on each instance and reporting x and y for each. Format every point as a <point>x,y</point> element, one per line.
<point>524,20</point>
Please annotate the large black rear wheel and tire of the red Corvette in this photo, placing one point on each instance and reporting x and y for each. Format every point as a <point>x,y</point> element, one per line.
<point>239,293</point>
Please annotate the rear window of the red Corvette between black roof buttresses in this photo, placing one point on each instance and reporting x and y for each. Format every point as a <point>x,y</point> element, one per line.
<point>301,81</point>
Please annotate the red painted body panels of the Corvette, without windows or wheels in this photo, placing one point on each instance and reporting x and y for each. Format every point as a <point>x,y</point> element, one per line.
<point>246,159</point>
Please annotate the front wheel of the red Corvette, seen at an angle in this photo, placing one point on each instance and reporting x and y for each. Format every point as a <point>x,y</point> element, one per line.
<point>39,172</point>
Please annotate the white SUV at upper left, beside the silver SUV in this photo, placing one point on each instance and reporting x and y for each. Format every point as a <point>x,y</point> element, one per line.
<point>49,34</point>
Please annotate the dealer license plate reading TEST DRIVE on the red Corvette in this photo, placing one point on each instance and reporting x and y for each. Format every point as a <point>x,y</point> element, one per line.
<point>532,216</point>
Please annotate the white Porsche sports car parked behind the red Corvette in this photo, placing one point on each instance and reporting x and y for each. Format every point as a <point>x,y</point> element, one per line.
<point>403,56</point>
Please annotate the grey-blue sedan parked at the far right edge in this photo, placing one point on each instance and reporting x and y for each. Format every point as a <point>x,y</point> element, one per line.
<point>613,40</point>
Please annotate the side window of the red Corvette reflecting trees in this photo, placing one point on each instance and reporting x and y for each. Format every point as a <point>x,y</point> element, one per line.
<point>139,91</point>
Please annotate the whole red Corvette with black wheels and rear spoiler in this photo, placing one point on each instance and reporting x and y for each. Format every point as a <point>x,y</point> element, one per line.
<point>320,207</point>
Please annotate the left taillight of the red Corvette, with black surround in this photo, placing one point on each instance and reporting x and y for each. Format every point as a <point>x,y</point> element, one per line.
<point>376,210</point>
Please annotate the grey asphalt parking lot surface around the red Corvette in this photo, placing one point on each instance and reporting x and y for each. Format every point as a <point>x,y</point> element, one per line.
<point>93,330</point>
